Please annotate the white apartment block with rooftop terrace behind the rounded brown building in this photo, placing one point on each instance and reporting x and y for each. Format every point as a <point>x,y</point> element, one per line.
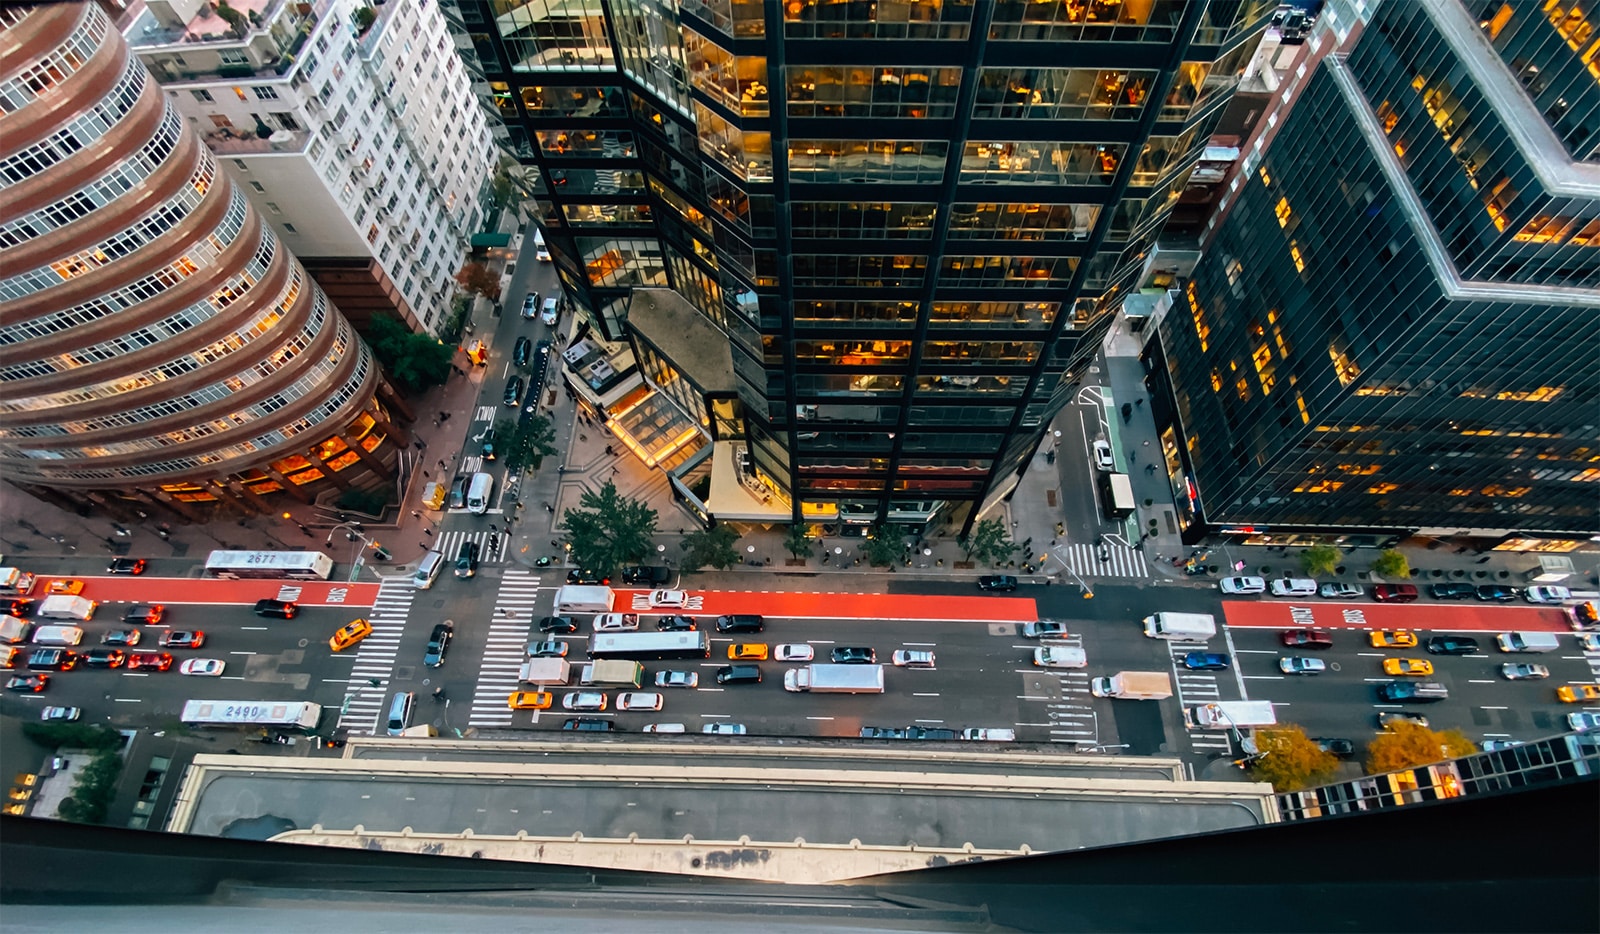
<point>353,129</point>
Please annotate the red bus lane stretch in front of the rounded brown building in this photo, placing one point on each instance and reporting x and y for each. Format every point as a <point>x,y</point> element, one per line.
<point>188,591</point>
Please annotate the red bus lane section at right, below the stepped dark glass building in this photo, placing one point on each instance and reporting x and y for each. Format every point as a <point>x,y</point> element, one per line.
<point>1415,617</point>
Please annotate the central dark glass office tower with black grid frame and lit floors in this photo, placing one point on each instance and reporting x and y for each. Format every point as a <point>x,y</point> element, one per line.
<point>902,220</point>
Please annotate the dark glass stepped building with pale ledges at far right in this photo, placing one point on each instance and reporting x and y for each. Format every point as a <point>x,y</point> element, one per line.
<point>1394,327</point>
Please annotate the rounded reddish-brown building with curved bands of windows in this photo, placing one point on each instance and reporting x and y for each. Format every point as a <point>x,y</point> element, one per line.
<point>158,343</point>
